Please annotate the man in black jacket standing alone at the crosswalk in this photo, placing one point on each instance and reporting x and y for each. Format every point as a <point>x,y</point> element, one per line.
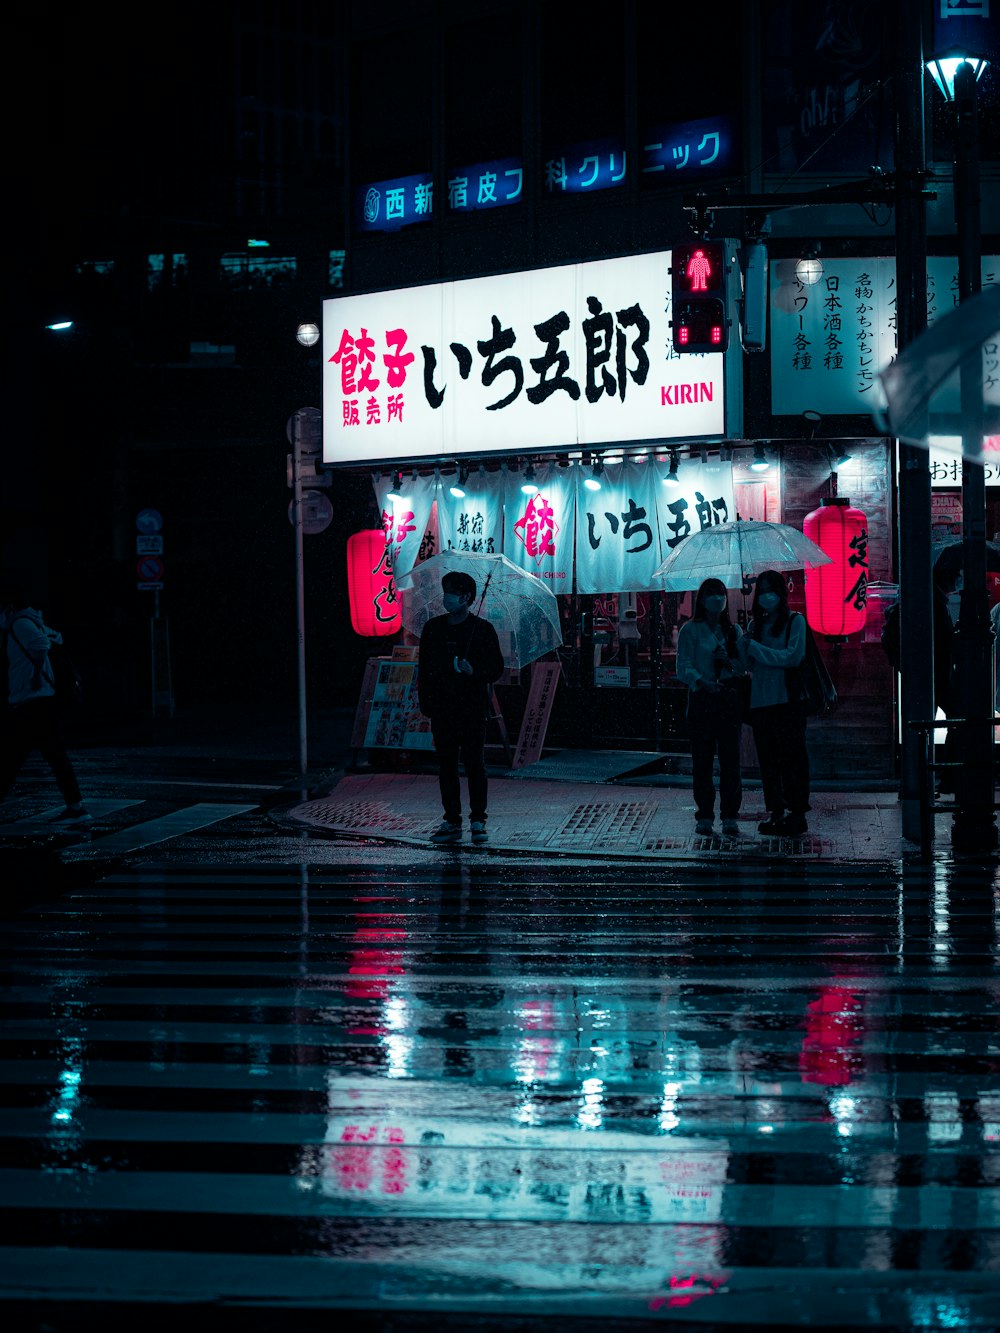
<point>459,661</point>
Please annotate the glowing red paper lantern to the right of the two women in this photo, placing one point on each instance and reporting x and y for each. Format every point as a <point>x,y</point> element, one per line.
<point>837,595</point>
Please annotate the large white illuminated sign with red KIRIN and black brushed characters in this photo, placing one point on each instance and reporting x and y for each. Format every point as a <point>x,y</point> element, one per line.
<point>542,361</point>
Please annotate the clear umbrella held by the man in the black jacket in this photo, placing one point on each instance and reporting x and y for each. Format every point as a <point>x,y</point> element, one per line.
<point>519,606</point>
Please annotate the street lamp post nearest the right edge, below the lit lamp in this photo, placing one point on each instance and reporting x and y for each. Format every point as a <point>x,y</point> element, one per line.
<point>974,827</point>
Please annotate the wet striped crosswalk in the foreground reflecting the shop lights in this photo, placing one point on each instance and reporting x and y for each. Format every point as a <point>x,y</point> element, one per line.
<point>749,1098</point>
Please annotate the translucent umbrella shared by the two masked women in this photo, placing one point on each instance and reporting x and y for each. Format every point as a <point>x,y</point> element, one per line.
<point>735,553</point>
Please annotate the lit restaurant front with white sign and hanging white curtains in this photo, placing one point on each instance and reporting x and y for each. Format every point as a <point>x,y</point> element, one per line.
<point>545,417</point>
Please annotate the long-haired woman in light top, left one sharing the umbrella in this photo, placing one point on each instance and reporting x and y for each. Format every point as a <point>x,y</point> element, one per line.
<point>710,665</point>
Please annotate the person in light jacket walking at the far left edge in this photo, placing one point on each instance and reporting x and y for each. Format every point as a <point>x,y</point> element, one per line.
<point>33,715</point>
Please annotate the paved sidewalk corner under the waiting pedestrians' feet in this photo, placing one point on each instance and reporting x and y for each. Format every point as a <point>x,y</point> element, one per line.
<point>554,808</point>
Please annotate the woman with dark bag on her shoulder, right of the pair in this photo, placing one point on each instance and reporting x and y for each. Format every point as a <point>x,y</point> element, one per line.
<point>775,643</point>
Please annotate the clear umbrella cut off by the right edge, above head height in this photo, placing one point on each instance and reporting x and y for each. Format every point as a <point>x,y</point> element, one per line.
<point>925,379</point>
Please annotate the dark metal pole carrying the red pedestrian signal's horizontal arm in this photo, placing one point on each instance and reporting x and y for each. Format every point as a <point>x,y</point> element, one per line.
<point>917,633</point>
